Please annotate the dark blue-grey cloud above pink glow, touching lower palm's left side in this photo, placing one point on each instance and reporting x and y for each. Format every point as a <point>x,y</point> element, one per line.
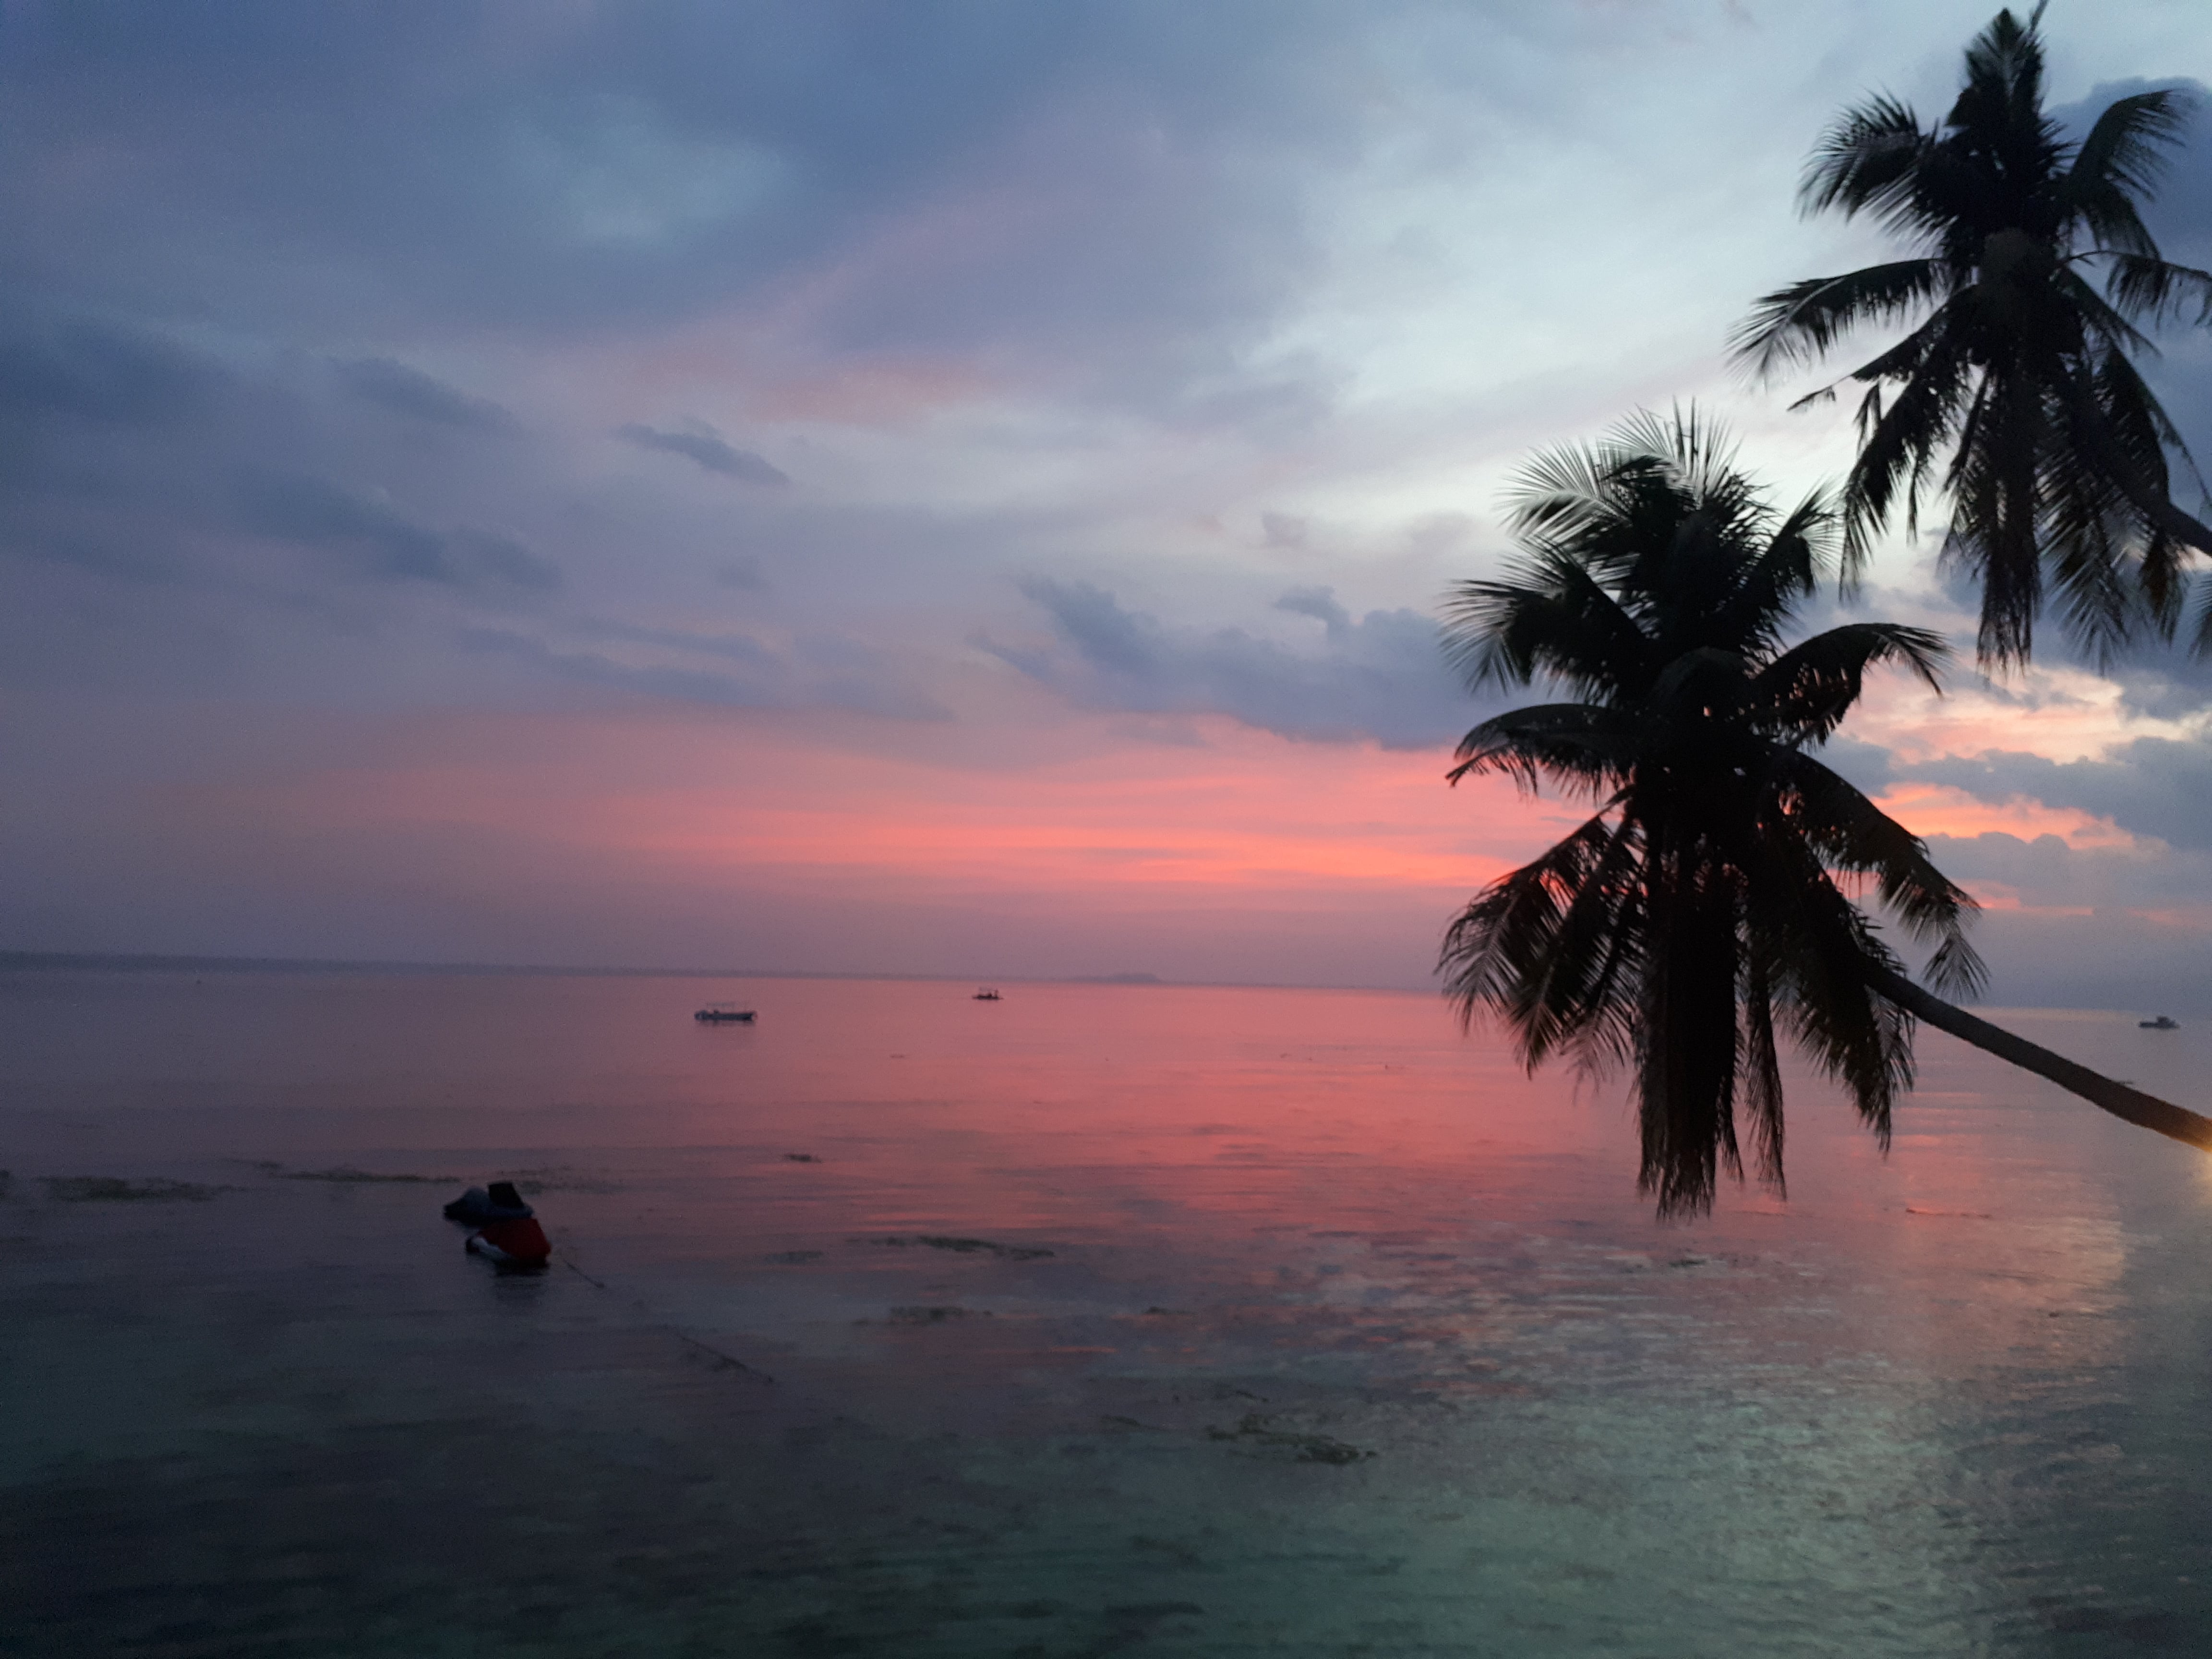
<point>1381,676</point>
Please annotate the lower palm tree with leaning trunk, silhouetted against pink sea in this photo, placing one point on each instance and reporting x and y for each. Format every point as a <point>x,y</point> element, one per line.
<point>1709,901</point>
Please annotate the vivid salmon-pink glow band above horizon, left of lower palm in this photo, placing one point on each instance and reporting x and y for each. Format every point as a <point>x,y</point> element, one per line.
<point>1242,815</point>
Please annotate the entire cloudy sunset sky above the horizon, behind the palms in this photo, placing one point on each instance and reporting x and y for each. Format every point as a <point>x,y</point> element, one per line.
<point>930,488</point>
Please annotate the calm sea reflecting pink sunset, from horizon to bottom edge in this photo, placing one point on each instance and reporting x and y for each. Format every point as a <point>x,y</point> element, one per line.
<point>1100,1319</point>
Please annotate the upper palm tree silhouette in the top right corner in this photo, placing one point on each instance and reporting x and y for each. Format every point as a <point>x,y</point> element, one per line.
<point>2018,368</point>
